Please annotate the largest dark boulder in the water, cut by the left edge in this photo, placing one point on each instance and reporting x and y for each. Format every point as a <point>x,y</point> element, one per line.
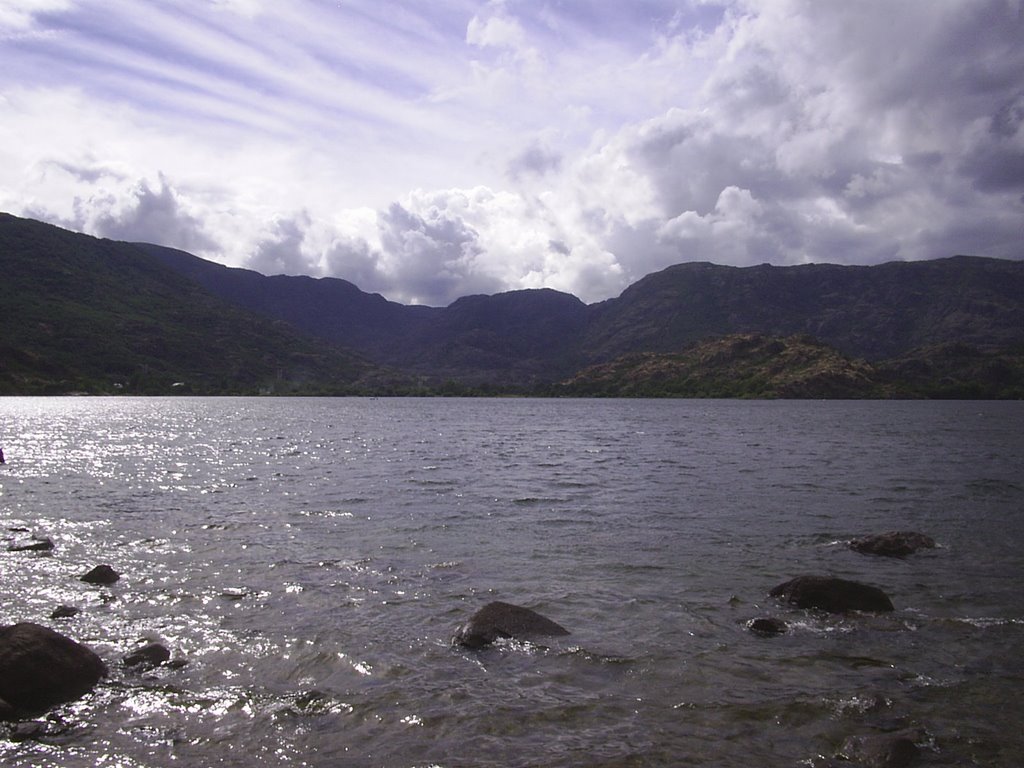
<point>40,668</point>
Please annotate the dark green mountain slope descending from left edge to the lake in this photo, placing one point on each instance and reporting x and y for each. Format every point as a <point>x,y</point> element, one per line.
<point>82,314</point>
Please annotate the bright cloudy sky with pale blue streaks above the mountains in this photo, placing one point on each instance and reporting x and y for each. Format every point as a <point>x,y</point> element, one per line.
<point>429,151</point>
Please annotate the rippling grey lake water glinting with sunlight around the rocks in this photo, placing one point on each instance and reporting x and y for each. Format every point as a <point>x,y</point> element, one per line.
<point>310,561</point>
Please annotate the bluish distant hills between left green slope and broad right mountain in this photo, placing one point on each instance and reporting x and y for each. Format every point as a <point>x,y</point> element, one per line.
<point>516,338</point>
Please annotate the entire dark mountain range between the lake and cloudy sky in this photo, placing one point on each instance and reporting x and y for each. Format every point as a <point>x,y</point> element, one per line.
<point>88,315</point>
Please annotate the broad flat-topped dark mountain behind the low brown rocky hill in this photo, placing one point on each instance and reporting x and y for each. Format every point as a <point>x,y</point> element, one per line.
<point>867,312</point>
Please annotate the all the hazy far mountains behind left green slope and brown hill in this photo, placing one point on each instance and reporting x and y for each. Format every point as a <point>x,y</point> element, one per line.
<point>531,337</point>
